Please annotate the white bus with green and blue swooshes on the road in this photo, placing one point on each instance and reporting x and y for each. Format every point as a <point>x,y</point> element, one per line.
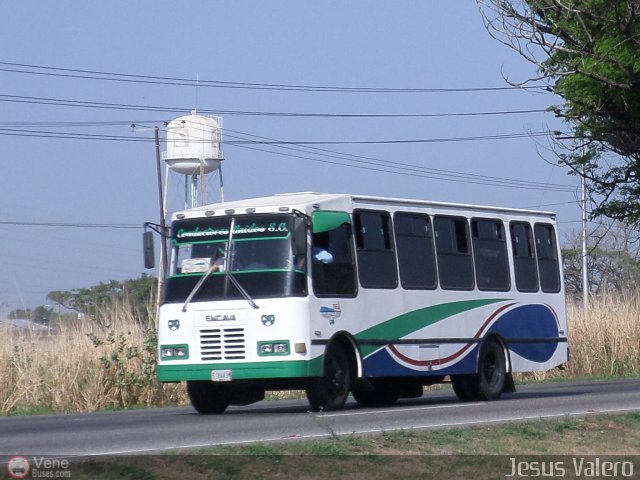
<point>377,297</point>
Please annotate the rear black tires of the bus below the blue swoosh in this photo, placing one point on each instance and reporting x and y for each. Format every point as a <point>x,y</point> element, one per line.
<point>489,382</point>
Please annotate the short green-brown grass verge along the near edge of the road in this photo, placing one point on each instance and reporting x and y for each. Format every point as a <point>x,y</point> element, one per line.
<point>477,452</point>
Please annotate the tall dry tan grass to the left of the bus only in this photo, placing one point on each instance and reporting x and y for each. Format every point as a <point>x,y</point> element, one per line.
<point>106,362</point>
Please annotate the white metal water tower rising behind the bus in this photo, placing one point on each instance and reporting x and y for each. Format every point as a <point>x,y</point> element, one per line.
<point>193,150</point>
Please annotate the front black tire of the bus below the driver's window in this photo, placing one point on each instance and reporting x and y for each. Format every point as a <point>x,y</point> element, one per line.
<point>330,391</point>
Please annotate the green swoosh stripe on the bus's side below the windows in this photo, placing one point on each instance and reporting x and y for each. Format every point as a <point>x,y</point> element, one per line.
<point>403,325</point>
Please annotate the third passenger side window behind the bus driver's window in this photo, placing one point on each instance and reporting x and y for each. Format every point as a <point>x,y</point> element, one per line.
<point>455,263</point>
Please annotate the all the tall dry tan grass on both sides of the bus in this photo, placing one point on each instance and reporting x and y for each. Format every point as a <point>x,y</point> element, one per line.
<point>108,362</point>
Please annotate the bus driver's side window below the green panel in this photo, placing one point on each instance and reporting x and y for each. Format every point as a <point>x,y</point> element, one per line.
<point>335,277</point>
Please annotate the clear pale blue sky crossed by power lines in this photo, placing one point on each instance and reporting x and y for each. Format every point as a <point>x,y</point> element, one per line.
<point>78,183</point>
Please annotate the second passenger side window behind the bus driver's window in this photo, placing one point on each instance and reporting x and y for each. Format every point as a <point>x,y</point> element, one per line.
<point>416,253</point>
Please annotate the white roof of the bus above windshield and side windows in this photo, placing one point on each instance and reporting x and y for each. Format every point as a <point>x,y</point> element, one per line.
<point>308,201</point>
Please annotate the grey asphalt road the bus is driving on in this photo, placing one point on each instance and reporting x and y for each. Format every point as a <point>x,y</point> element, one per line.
<point>155,430</point>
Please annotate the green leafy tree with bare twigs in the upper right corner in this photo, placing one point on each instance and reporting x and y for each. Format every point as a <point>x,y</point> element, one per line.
<point>588,52</point>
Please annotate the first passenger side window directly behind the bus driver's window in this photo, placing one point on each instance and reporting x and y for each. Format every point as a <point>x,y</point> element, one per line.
<point>374,243</point>
